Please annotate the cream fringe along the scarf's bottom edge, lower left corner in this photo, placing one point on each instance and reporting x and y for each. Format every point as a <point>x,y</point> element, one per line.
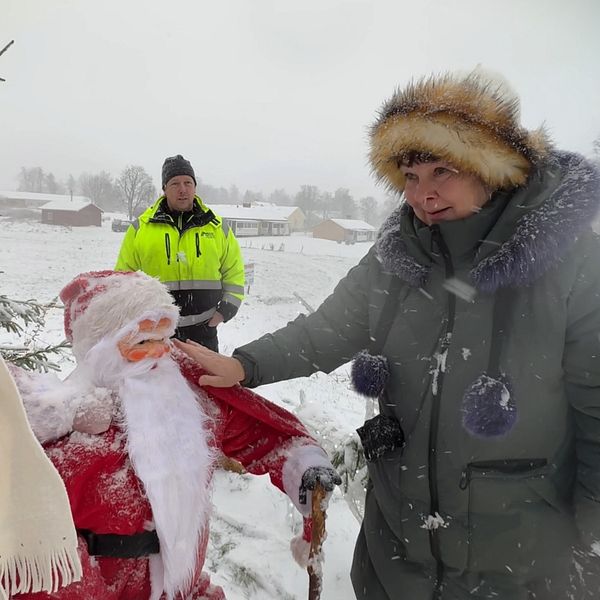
<point>21,574</point>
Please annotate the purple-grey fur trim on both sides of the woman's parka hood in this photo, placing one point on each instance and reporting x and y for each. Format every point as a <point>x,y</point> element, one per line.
<point>541,237</point>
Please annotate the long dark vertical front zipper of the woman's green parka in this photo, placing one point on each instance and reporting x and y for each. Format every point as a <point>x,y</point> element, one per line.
<point>434,504</point>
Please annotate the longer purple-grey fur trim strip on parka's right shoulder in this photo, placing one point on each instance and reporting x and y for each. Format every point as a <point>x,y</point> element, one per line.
<point>543,236</point>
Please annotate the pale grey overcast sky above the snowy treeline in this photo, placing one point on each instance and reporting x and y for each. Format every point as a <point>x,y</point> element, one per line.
<point>269,93</point>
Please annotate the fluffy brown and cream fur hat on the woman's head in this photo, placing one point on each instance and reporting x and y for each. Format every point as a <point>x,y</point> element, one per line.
<point>470,121</point>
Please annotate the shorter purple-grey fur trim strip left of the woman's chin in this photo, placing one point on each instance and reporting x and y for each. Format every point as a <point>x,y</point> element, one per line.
<point>393,254</point>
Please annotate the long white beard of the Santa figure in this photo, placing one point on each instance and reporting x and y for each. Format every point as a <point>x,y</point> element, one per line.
<point>167,446</point>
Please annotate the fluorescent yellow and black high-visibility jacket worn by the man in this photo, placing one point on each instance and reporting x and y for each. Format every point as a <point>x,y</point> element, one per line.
<point>199,260</point>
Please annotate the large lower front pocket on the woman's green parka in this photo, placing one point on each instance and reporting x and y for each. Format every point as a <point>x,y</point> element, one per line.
<point>517,522</point>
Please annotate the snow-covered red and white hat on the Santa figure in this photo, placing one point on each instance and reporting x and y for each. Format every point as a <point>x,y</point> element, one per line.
<point>101,303</point>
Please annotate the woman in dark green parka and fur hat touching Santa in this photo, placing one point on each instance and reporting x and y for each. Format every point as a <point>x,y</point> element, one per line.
<point>475,319</point>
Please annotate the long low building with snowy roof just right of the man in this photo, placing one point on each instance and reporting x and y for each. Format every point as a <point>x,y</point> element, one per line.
<point>246,220</point>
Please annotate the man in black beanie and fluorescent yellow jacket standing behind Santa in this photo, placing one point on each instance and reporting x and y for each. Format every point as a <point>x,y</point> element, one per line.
<point>185,245</point>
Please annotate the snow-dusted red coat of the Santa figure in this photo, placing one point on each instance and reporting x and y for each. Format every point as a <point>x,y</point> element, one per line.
<point>107,497</point>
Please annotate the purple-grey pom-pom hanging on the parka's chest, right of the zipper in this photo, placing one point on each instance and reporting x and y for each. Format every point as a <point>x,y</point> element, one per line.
<point>488,408</point>
